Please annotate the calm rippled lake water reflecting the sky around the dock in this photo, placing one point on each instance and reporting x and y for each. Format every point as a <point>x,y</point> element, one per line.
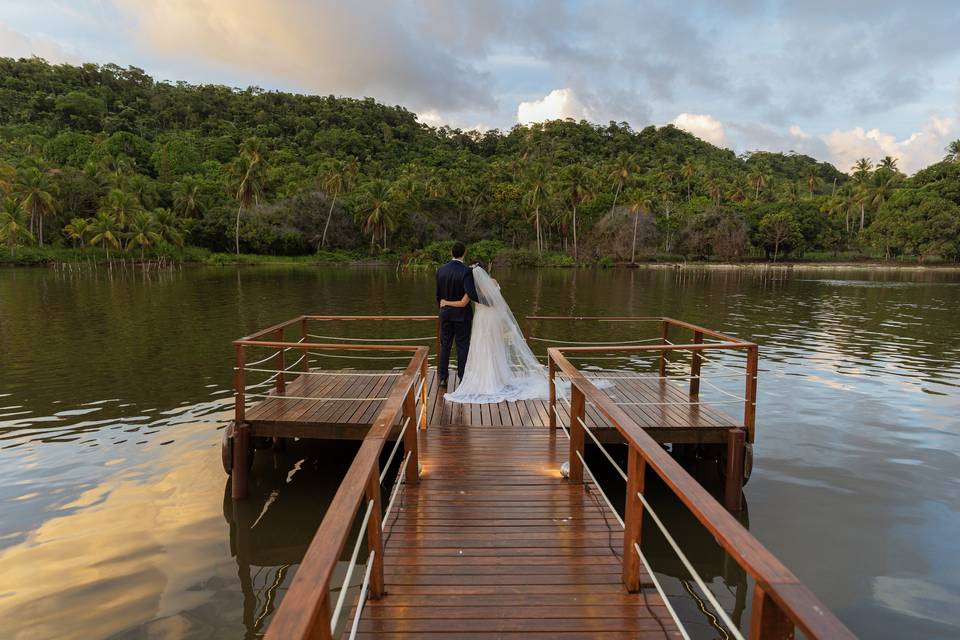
<point>113,517</point>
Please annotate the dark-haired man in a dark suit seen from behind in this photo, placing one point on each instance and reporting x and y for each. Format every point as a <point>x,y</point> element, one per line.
<point>454,279</point>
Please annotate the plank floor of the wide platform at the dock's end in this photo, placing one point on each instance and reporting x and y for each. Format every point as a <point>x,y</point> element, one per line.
<point>661,407</point>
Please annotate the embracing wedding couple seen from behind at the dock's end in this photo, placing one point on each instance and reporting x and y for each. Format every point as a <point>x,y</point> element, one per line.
<point>494,363</point>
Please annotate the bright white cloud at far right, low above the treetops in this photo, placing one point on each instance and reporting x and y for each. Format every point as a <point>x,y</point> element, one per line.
<point>918,150</point>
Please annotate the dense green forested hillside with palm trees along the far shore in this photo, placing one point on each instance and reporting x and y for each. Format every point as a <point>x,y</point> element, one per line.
<point>108,158</point>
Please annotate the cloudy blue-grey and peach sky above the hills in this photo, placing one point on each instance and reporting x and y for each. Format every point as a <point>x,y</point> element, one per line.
<point>836,80</point>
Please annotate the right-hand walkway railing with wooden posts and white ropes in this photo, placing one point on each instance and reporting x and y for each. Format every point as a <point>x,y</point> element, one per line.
<point>780,602</point>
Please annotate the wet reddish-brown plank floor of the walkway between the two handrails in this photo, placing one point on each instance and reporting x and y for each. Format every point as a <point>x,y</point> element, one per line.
<point>493,543</point>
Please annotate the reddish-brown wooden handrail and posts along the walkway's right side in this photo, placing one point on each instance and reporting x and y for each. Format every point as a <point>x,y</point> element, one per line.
<point>779,592</point>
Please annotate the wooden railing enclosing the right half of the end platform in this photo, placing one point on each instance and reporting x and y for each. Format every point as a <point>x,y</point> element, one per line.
<point>702,342</point>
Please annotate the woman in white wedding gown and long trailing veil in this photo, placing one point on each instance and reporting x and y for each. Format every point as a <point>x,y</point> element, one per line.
<point>500,365</point>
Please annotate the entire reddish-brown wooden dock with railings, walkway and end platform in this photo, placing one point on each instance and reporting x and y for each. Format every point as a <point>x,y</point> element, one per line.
<point>480,535</point>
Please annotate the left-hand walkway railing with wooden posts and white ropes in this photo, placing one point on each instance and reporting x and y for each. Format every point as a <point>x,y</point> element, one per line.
<point>305,610</point>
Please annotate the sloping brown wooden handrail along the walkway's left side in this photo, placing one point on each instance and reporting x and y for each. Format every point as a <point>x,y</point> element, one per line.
<point>304,612</point>
